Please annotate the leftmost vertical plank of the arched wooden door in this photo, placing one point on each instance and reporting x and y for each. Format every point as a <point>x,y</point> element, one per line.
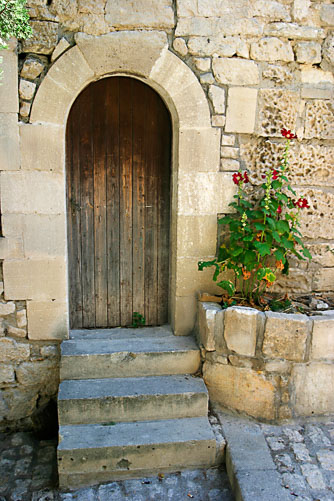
<point>73,217</point>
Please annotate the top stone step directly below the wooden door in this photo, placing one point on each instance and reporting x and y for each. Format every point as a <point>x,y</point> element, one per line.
<point>127,353</point>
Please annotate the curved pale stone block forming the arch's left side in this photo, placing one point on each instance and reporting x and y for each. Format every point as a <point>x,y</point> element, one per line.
<point>63,82</point>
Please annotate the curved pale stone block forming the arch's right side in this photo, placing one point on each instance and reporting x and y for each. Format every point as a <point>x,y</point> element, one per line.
<point>178,85</point>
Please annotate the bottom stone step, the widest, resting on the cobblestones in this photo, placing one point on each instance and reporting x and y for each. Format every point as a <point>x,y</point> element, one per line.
<point>93,453</point>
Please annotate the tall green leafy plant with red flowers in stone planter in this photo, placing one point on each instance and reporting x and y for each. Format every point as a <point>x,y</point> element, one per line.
<point>262,233</point>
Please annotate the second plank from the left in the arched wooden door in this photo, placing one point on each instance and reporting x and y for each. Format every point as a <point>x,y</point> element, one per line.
<point>87,206</point>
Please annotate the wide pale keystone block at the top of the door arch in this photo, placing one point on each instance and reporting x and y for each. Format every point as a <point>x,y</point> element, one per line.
<point>131,52</point>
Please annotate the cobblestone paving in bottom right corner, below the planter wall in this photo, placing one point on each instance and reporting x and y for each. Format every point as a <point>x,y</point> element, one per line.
<point>304,456</point>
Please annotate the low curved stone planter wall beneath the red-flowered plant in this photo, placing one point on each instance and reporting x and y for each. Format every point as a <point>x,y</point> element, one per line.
<point>271,366</point>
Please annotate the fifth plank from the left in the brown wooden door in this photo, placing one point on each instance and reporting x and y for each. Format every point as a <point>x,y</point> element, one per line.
<point>125,155</point>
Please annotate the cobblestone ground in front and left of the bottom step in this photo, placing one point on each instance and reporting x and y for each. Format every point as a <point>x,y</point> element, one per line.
<point>28,472</point>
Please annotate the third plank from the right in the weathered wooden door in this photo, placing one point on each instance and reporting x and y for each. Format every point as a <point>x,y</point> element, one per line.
<point>139,201</point>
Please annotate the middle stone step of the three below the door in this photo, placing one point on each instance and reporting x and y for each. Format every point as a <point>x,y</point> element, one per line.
<point>131,399</point>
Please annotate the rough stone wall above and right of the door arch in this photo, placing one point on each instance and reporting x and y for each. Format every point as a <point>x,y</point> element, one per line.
<point>263,66</point>
